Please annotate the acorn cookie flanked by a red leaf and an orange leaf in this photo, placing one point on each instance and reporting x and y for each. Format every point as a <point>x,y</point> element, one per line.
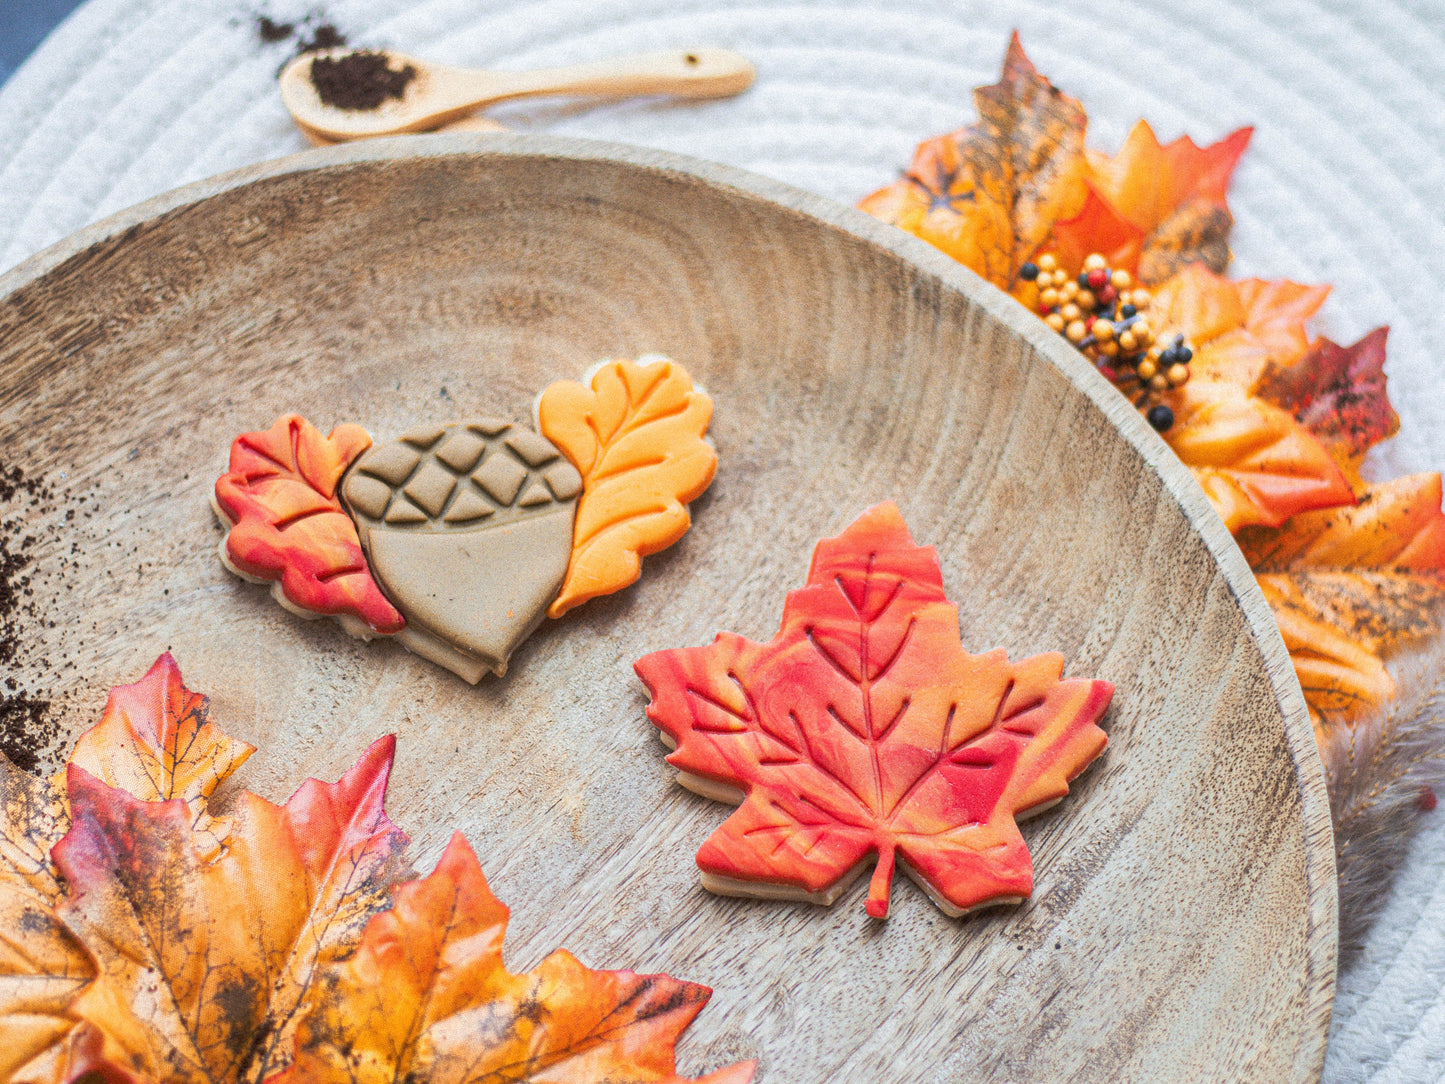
<point>459,540</point>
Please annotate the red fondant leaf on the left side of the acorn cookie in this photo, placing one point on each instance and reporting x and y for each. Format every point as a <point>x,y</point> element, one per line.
<point>288,527</point>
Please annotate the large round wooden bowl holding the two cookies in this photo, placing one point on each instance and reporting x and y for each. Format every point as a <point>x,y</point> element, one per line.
<point>1184,920</point>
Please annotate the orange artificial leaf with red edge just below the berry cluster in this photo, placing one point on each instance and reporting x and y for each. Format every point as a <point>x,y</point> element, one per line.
<point>1254,460</point>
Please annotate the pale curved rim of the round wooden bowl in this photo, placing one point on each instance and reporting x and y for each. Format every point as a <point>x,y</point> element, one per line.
<point>1321,952</point>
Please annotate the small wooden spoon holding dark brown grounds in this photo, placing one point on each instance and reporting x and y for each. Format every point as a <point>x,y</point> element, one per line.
<point>439,95</point>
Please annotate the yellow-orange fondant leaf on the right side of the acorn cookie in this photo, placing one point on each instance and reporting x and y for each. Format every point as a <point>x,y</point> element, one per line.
<point>637,436</point>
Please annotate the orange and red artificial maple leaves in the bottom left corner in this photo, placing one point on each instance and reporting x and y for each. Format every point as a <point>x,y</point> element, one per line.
<point>150,953</point>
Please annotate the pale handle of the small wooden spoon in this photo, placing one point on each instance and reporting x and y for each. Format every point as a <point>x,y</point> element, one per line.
<point>683,73</point>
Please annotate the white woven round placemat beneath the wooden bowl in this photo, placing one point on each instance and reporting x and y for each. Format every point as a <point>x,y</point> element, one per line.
<point>1345,183</point>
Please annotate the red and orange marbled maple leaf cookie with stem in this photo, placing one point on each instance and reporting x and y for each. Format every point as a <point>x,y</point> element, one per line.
<point>866,729</point>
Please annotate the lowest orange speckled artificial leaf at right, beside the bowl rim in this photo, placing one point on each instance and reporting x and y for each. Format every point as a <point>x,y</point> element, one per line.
<point>1350,585</point>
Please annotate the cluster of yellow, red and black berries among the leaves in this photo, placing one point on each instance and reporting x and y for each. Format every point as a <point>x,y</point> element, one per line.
<point>1102,311</point>
